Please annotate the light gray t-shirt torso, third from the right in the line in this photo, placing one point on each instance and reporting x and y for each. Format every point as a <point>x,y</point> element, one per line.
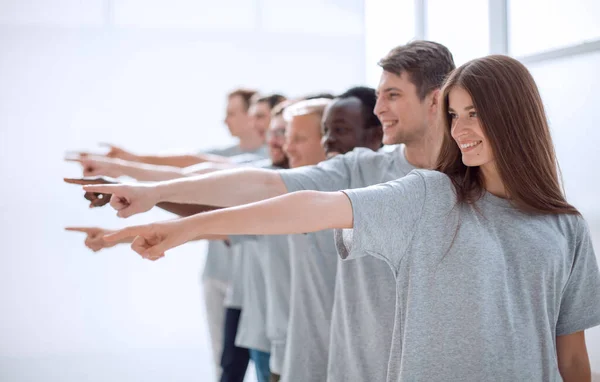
<point>313,268</point>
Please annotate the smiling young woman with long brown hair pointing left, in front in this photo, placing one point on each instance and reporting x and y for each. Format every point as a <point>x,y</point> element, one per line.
<point>496,275</point>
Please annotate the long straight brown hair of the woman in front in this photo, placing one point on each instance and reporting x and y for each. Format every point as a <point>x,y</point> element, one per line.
<point>513,119</point>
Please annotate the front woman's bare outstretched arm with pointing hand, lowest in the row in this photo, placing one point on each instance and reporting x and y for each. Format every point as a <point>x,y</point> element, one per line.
<point>298,212</point>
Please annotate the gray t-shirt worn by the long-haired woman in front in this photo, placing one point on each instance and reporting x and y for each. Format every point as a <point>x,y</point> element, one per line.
<point>483,290</point>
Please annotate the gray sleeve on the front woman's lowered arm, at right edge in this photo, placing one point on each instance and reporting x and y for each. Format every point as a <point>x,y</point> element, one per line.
<point>580,302</point>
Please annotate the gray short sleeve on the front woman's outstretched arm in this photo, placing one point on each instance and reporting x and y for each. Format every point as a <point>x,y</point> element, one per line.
<point>385,219</point>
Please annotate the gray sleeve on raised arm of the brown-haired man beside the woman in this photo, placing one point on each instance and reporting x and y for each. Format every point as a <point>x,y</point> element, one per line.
<point>334,174</point>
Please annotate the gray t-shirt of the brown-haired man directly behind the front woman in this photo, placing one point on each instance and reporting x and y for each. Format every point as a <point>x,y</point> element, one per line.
<point>365,295</point>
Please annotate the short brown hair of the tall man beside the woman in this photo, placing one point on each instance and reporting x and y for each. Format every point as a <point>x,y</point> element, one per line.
<point>426,62</point>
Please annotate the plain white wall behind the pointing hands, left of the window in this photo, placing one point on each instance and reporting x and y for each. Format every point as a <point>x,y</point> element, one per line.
<point>68,81</point>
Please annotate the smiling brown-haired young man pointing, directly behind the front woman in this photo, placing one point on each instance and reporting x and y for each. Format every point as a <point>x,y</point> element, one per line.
<point>365,295</point>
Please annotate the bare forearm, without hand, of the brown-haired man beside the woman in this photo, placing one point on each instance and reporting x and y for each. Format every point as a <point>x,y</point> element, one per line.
<point>223,188</point>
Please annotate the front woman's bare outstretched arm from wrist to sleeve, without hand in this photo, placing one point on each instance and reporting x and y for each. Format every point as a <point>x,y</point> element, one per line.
<point>298,212</point>
